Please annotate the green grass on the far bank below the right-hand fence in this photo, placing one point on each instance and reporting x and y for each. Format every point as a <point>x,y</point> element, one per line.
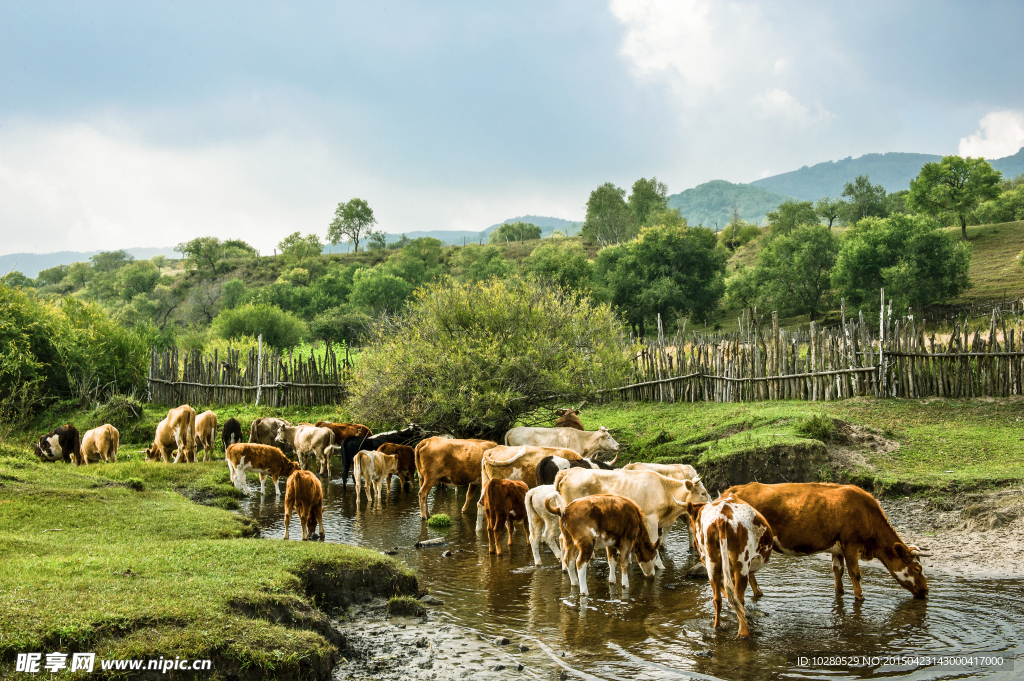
<point>978,441</point>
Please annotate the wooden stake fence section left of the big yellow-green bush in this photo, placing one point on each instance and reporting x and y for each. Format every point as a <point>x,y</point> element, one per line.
<point>260,377</point>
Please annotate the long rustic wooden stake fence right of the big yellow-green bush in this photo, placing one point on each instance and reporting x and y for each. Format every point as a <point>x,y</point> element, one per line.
<point>892,357</point>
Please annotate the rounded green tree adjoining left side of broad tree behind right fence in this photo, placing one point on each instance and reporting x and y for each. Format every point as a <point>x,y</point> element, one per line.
<point>793,271</point>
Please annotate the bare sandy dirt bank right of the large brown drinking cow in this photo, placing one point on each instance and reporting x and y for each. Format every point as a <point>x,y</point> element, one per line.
<point>978,535</point>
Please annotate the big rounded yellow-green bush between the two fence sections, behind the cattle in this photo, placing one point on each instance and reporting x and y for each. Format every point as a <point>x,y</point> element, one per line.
<point>476,359</point>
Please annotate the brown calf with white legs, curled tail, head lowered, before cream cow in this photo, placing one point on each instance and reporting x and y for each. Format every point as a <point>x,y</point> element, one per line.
<point>609,522</point>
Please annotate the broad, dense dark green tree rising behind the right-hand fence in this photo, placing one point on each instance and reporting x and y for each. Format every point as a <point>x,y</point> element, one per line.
<point>911,257</point>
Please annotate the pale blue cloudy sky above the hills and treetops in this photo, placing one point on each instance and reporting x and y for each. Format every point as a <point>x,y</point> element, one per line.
<point>130,124</point>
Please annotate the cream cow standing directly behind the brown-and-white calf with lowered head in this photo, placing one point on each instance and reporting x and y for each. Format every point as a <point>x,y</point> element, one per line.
<point>663,500</point>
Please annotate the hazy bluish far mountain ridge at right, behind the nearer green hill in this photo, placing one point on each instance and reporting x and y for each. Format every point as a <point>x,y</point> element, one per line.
<point>893,172</point>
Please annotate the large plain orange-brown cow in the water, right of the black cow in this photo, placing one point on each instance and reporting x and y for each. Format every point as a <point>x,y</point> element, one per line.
<point>454,462</point>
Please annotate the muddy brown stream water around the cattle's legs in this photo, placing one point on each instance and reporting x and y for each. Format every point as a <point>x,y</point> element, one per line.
<point>662,628</point>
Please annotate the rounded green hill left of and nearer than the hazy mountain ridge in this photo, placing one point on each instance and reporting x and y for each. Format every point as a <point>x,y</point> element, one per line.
<point>711,204</point>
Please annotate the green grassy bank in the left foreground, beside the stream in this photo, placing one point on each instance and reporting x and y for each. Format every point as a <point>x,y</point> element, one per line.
<point>116,560</point>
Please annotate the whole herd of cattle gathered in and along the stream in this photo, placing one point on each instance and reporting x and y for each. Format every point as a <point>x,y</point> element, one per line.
<point>550,480</point>
